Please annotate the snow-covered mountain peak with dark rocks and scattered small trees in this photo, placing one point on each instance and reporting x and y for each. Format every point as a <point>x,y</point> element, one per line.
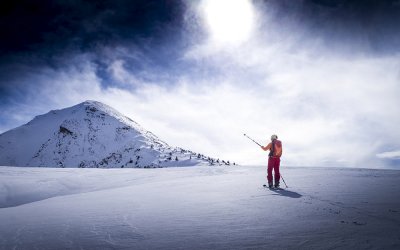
<point>90,134</point>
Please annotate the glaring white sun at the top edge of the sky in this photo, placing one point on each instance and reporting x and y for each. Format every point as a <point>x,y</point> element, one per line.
<point>229,21</point>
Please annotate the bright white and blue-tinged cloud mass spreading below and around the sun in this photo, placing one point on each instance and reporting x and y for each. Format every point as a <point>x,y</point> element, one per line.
<point>329,107</point>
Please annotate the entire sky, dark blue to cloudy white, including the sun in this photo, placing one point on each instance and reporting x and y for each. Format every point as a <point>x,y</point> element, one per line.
<point>324,75</point>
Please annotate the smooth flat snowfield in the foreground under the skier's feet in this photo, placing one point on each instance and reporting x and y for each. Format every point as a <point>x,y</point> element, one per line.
<point>198,208</point>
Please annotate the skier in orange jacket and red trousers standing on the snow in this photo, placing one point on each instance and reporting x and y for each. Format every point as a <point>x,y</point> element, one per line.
<point>275,147</point>
